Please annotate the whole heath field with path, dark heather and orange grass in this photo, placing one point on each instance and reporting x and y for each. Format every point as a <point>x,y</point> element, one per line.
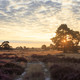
<point>39,65</point>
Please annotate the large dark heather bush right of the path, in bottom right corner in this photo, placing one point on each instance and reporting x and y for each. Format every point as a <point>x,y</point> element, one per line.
<point>64,73</point>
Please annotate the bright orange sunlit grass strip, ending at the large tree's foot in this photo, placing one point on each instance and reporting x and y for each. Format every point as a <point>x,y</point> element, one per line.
<point>29,53</point>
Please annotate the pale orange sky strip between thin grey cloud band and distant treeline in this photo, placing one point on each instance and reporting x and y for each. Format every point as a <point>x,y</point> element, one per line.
<point>28,44</point>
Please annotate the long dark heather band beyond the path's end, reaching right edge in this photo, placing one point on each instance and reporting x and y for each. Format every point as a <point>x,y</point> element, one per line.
<point>56,59</point>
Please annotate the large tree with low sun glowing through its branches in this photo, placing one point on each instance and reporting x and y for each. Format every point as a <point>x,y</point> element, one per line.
<point>66,38</point>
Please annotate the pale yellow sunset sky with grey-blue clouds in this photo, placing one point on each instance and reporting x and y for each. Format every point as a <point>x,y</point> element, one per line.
<point>34,22</point>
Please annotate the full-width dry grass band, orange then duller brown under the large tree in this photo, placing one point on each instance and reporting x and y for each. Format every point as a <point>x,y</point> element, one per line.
<point>22,53</point>
